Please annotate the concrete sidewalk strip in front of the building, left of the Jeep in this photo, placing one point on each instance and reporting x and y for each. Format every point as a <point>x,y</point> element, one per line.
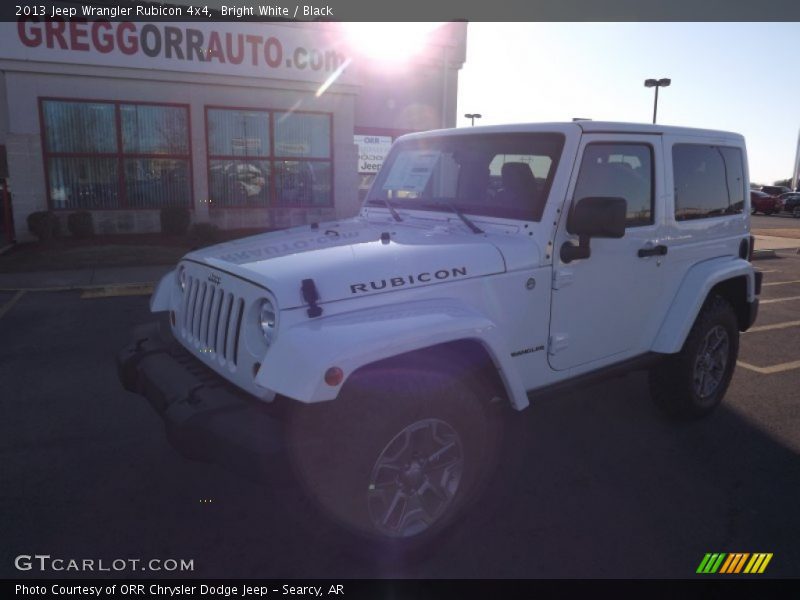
<point>81,279</point>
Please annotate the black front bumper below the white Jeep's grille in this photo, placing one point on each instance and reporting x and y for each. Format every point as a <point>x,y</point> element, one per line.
<point>205,417</point>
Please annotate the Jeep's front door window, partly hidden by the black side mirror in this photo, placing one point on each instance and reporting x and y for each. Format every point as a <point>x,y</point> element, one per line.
<point>622,171</point>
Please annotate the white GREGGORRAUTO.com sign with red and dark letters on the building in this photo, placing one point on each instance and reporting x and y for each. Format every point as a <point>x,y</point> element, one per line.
<point>311,53</point>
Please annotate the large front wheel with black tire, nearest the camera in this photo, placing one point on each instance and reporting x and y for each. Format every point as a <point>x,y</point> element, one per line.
<point>335,448</point>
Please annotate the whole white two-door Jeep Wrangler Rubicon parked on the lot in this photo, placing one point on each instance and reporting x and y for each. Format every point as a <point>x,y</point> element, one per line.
<point>487,264</point>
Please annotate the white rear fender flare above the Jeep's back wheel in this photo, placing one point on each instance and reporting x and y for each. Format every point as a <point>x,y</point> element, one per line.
<point>694,290</point>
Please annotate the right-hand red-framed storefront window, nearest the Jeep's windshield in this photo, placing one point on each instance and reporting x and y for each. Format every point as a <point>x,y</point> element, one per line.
<point>267,158</point>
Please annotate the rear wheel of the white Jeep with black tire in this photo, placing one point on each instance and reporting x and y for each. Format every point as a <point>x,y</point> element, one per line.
<point>678,385</point>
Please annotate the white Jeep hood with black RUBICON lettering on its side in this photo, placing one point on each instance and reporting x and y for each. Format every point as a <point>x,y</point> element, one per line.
<point>353,258</point>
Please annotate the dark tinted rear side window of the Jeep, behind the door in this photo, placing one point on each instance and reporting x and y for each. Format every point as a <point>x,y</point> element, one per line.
<point>709,181</point>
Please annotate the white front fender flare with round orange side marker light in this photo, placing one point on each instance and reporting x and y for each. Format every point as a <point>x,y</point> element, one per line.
<point>295,365</point>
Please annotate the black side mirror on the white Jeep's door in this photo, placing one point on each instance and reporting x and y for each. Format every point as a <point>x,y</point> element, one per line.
<point>594,216</point>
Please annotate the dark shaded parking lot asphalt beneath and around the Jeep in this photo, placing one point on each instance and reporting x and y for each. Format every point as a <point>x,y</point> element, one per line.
<point>593,482</point>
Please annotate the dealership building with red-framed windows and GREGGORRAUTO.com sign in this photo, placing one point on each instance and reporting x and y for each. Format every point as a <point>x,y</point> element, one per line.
<point>247,124</point>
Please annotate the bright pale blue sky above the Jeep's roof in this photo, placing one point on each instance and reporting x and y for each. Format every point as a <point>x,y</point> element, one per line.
<point>741,77</point>
